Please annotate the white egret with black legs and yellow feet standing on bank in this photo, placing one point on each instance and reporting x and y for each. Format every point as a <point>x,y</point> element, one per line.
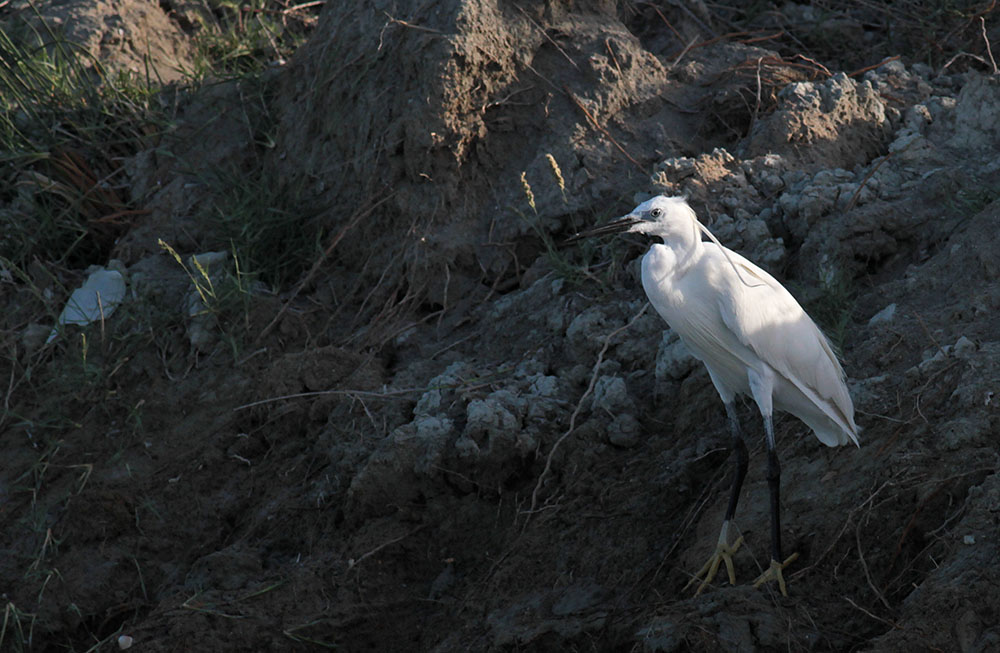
<point>753,337</point>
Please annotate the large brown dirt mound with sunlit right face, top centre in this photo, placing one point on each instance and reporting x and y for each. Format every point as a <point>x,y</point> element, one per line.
<point>442,110</point>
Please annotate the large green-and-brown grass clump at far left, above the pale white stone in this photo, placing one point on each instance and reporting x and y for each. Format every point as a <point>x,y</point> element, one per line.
<point>65,125</point>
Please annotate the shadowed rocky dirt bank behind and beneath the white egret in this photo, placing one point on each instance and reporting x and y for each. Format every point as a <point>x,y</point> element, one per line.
<point>429,425</point>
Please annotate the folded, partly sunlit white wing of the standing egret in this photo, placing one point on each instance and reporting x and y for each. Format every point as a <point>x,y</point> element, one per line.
<point>765,318</point>
